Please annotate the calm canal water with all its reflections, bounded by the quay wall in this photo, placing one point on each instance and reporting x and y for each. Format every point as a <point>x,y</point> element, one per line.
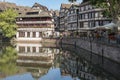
<point>33,61</point>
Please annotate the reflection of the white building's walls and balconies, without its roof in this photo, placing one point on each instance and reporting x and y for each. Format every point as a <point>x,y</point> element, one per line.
<point>34,54</point>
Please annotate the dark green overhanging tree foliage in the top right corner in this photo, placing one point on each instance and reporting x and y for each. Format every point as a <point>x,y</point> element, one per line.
<point>112,8</point>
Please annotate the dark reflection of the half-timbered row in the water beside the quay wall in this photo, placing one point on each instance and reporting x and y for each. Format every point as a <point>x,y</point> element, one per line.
<point>76,67</point>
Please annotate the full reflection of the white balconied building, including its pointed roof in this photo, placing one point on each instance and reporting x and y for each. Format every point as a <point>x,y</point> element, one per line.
<point>34,58</point>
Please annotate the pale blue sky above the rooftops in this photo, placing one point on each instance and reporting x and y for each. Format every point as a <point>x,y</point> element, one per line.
<point>51,4</point>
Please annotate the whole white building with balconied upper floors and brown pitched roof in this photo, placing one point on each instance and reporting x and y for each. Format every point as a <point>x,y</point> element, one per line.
<point>35,24</point>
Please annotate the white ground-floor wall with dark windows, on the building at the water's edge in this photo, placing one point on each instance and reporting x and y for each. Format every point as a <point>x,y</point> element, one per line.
<point>33,34</point>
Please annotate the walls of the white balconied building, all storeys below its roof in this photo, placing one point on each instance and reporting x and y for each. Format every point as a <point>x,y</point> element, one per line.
<point>34,29</point>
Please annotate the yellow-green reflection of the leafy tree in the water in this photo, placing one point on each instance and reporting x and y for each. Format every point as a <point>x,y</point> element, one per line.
<point>8,55</point>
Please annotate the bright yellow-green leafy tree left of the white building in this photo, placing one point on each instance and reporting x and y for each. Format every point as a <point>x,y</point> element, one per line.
<point>7,23</point>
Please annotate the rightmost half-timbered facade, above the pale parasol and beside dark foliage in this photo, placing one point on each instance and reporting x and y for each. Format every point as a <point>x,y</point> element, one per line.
<point>91,16</point>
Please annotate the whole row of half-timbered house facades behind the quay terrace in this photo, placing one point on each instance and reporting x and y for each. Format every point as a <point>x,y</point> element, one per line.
<point>88,16</point>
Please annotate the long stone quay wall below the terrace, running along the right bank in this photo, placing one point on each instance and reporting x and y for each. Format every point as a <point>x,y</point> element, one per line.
<point>108,51</point>
